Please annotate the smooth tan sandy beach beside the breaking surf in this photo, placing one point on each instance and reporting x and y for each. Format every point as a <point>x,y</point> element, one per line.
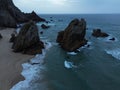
<point>10,62</point>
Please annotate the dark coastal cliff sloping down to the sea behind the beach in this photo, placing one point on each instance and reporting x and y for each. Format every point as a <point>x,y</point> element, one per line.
<point>10,15</point>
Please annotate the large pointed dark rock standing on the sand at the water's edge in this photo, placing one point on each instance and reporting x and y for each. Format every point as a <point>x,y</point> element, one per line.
<point>27,41</point>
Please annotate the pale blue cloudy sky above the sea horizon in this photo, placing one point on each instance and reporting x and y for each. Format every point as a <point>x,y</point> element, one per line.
<point>69,6</point>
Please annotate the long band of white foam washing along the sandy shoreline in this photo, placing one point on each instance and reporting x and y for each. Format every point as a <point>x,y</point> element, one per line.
<point>31,69</point>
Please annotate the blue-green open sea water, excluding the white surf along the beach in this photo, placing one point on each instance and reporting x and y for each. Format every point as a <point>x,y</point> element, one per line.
<point>96,69</point>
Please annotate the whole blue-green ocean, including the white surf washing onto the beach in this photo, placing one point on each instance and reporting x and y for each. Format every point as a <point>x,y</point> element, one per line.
<point>93,68</point>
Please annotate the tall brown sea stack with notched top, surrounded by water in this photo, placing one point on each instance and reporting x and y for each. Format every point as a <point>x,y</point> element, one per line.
<point>73,37</point>
